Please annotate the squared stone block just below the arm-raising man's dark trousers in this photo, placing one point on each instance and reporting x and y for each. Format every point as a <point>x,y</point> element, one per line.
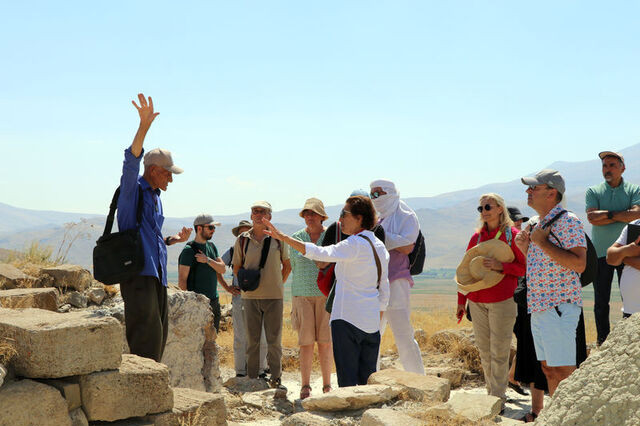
<point>138,388</point>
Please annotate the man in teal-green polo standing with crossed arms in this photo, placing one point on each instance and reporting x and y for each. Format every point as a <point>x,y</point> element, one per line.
<point>610,206</point>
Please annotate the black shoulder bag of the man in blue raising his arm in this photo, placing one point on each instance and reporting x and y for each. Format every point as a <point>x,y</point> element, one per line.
<point>118,256</point>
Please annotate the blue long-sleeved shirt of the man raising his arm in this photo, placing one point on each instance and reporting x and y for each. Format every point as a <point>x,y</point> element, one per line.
<point>153,245</point>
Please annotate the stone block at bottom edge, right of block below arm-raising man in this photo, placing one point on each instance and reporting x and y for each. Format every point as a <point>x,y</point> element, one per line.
<point>194,408</point>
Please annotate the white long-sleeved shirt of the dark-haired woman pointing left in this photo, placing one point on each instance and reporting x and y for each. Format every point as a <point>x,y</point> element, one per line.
<point>357,300</point>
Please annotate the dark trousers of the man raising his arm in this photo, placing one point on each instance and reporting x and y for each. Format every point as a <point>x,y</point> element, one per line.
<point>145,316</point>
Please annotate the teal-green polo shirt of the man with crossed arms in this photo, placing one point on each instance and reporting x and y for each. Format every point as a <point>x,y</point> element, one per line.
<point>604,197</point>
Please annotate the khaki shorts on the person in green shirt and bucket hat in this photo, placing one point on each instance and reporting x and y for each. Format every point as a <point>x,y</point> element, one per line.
<point>310,319</point>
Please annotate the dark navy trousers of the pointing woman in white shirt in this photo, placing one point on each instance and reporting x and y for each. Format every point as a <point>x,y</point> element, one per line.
<point>355,353</point>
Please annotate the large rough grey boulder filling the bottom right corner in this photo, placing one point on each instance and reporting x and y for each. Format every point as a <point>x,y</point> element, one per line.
<point>605,389</point>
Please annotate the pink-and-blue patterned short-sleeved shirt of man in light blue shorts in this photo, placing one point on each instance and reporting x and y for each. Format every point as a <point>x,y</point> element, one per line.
<point>548,283</point>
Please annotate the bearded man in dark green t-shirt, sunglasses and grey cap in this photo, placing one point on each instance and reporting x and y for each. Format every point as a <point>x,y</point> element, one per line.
<point>199,265</point>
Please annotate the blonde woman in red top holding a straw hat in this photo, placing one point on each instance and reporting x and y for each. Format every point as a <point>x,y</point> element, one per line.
<point>487,278</point>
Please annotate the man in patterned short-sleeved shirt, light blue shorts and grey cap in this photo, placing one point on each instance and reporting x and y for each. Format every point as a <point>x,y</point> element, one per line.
<point>556,252</point>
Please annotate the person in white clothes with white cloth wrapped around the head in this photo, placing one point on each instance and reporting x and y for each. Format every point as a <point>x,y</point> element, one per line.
<point>401,228</point>
